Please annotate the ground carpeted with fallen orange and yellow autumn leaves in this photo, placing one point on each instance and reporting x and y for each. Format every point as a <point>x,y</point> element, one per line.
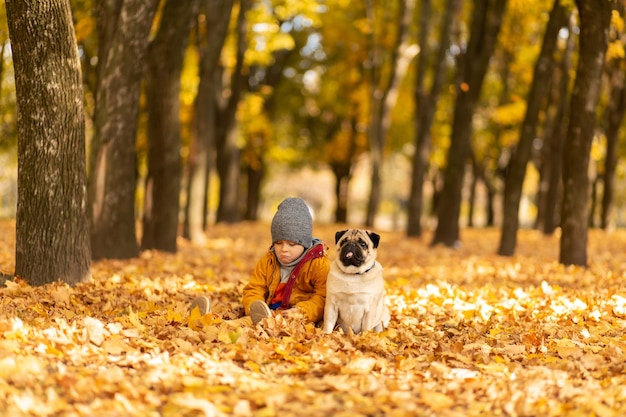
<point>471,334</point>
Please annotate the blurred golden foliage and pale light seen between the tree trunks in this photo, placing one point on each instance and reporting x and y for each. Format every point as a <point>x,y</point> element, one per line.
<point>307,129</point>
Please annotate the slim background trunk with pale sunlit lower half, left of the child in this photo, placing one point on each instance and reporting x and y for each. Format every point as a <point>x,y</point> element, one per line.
<point>211,35</point>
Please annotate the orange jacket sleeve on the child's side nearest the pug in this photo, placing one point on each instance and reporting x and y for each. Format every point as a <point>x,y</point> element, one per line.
<point>316,273</point>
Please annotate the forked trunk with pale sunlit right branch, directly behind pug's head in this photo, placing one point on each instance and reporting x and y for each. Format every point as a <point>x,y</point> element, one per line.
<point>384,96</point>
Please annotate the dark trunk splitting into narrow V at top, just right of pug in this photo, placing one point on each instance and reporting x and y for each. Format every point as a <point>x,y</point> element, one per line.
<point>426,104</point>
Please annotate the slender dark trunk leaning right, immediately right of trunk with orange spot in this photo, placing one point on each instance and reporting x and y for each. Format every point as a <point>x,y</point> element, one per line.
<point>535,102</point>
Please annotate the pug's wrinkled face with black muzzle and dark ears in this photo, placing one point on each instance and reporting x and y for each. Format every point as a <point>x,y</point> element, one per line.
<point>356,250</point>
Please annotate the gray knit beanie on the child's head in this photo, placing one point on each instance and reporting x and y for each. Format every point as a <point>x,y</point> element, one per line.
<point>293,222</point>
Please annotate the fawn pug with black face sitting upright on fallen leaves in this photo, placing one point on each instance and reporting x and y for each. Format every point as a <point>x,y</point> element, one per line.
<point>355,289</point>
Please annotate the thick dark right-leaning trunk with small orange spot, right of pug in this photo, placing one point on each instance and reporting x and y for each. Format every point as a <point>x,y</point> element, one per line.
<point>486,23</point>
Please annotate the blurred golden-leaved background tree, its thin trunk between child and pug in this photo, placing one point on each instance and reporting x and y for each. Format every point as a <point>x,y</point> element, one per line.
<point>330,89</point>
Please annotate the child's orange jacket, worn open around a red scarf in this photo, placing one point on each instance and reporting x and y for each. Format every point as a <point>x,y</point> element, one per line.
<point>309,290</point>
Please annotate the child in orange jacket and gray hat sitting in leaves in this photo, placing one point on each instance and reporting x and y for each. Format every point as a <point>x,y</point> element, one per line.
<point>291,276</point>
